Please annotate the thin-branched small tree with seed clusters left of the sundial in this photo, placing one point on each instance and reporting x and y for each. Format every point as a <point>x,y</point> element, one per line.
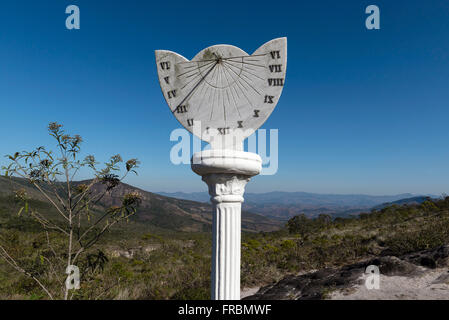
<point>81,218</point>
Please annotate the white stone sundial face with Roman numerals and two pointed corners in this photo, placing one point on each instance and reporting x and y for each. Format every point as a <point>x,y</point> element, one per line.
<point>223,88</point>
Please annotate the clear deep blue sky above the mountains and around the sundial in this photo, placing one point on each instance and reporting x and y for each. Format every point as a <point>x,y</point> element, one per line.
<point>362,111</point>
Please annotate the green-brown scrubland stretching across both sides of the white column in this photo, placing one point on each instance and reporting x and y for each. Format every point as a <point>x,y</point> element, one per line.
<point>132,263</point>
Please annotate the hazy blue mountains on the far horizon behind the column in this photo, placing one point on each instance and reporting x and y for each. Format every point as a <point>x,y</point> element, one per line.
<point>284,205</point>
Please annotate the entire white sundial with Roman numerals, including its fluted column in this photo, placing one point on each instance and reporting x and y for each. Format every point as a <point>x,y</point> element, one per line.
<point>225,89</point>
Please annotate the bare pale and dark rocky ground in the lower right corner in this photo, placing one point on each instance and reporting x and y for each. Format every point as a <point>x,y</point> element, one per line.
<point>421,275</point>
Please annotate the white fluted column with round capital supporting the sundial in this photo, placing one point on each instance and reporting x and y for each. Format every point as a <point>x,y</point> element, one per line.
<point>226,173</point>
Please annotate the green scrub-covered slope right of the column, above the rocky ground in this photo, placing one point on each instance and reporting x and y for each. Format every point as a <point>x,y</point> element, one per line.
<point>307,243</point>
